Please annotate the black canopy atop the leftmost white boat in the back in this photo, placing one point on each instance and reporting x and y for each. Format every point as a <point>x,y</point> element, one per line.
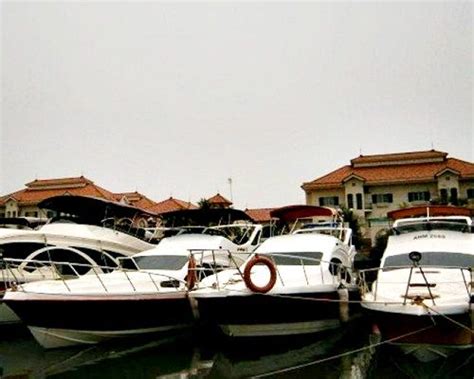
<point>92,210</point>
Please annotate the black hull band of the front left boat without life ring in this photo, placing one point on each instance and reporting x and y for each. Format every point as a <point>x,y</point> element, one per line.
<point>103,314</point>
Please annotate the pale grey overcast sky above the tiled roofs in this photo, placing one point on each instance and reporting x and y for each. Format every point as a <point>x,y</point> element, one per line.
<point>175,98</point>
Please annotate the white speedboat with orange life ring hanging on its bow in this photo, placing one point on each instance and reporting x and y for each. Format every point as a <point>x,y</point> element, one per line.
<point>293,284</point>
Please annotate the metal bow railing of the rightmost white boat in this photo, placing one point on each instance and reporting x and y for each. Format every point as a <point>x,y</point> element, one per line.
<point>369,280</point>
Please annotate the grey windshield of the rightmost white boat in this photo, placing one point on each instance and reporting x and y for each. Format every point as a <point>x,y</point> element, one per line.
<point>439,259</point>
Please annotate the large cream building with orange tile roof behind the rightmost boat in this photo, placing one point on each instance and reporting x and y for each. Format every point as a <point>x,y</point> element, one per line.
<point>373,185</point>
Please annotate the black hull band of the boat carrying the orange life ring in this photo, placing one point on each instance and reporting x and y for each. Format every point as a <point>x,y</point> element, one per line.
<point>268,309</point>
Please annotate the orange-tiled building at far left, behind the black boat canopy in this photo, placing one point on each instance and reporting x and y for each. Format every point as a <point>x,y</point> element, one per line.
<point>24,203</point>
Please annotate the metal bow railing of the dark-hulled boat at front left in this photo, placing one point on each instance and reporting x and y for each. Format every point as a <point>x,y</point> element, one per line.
<point>17,271</point>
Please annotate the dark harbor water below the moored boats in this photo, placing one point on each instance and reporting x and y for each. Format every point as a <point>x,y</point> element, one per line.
<point>350,352</point>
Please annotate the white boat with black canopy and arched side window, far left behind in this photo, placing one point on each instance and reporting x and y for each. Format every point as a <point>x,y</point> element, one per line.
<point>100,229</point>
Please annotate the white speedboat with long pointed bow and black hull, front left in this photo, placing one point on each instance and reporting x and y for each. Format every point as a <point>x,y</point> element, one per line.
<point>149,296</point>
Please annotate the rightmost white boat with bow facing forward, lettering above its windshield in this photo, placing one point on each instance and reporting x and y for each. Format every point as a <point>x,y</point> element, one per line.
<point>421,296</point>
